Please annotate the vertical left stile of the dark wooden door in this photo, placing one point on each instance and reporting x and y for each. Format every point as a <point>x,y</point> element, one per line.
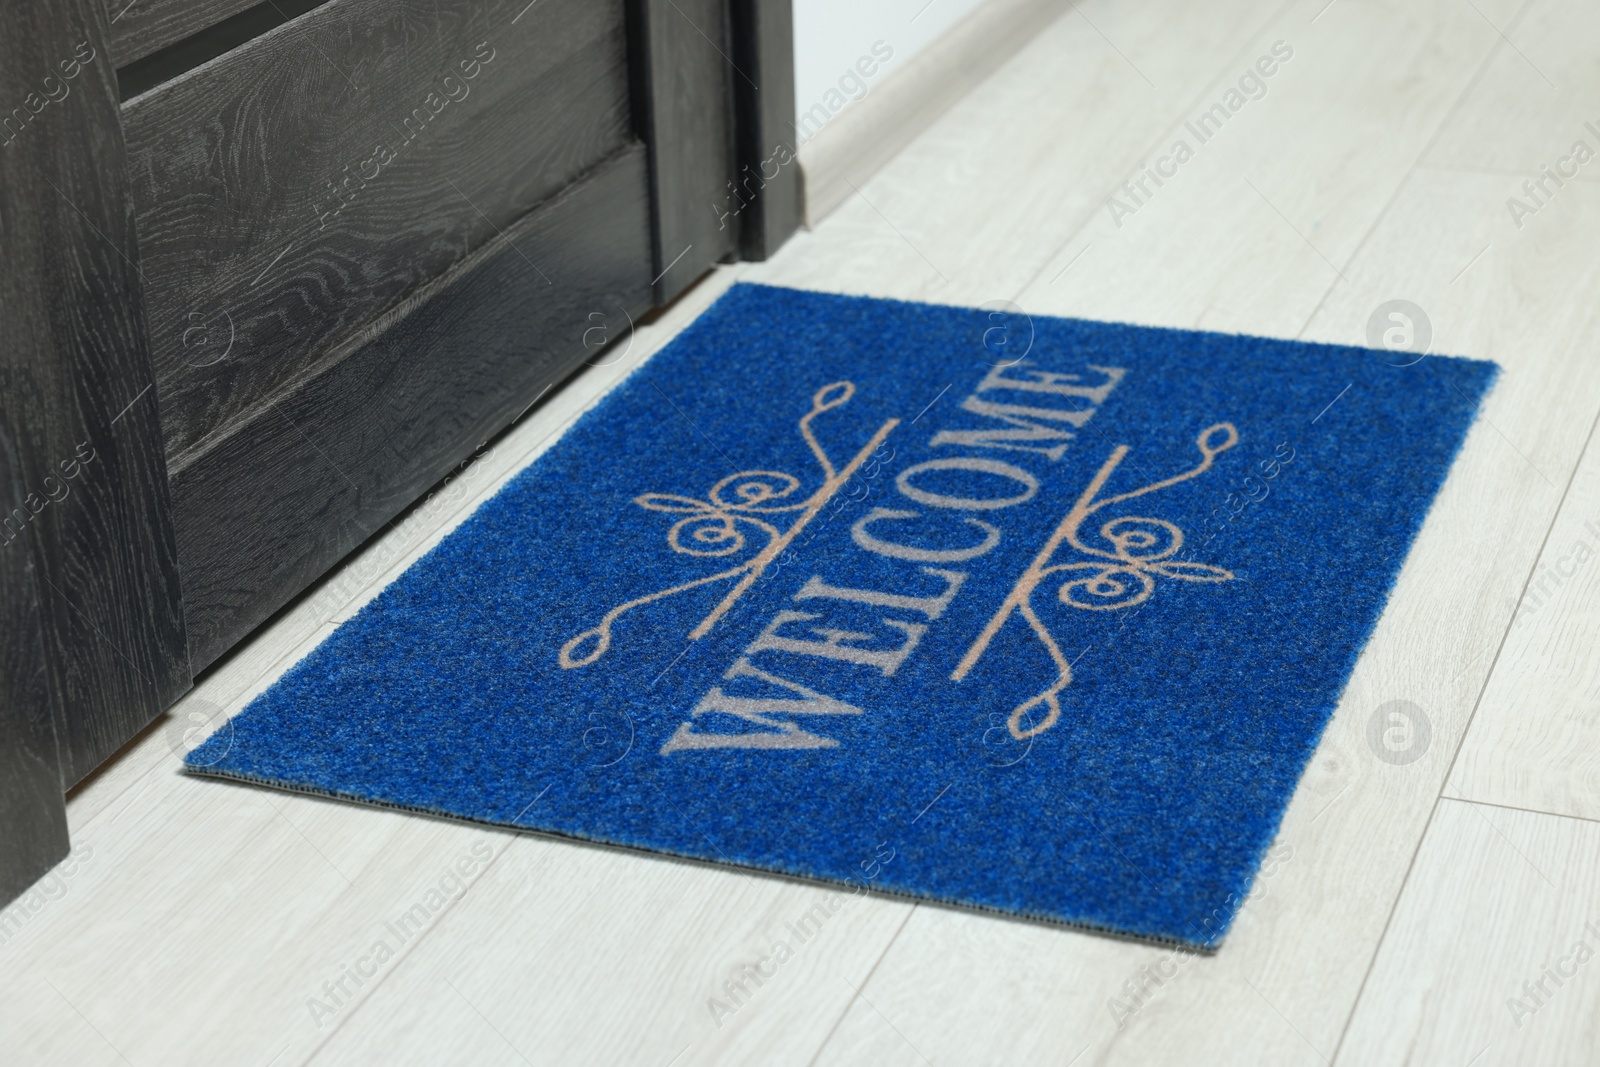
<point>76,383</point>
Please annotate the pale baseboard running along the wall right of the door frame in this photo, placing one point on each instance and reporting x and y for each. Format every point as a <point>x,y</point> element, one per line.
<point>868,135</point>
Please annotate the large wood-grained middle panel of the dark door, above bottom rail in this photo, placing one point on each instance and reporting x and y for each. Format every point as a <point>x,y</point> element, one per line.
<point>300,186</point>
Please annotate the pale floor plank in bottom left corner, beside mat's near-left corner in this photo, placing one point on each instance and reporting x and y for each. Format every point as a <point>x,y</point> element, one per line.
<point>201,924</point>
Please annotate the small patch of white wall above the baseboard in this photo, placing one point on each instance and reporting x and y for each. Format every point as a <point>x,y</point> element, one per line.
<point>834,36</point>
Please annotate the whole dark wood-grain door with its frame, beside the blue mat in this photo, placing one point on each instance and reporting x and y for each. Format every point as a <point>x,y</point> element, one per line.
<point>278,268</point>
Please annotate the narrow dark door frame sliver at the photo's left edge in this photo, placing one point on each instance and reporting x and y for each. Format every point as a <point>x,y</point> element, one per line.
<point>33,809</point>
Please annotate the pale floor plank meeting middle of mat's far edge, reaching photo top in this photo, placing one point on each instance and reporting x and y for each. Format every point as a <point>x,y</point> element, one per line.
<point>1257,228</point>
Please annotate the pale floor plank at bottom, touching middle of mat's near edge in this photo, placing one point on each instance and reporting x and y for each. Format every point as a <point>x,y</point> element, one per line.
<point>682,957</point>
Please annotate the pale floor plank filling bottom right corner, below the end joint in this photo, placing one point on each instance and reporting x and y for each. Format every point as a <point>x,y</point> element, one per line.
<point>1500,901</point>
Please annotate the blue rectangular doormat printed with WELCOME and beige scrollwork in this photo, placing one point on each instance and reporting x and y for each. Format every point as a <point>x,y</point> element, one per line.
<point>1039,617</point>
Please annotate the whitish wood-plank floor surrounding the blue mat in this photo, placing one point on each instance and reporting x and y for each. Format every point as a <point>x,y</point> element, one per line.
<point>1433,908</point>
